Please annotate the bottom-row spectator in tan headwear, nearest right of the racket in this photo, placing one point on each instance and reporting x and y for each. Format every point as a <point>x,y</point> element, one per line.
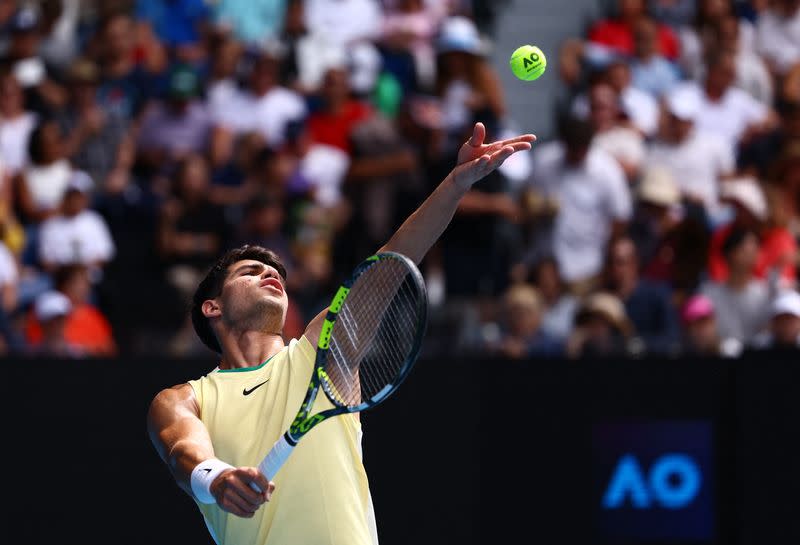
<point>521,335</point>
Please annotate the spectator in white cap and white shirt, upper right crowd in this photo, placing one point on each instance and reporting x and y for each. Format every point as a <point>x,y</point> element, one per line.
<point>697,161</point>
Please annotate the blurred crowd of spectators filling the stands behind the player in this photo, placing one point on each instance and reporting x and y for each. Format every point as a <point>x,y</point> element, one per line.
<point>140,139</point>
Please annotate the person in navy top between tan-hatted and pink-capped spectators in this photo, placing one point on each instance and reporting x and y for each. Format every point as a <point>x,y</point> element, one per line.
<point>648,305</point>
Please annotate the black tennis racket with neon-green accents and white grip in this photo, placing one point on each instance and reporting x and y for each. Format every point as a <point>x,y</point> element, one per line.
<point>369,342</point>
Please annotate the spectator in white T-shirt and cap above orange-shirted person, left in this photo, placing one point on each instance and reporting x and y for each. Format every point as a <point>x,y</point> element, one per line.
<point>77,235</point>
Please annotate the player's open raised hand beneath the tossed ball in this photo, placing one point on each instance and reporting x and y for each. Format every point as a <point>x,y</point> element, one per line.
<point>476,159</point>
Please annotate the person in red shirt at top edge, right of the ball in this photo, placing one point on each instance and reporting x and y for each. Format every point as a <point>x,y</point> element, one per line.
<point>616,33</point>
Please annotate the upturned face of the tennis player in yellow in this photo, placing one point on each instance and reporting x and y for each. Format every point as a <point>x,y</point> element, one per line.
<point>254,297</point>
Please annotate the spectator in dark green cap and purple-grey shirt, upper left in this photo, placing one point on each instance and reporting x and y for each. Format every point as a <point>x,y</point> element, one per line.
<point>176,126</point>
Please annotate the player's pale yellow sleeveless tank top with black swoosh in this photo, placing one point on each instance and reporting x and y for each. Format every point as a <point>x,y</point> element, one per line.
<point>321,493</point>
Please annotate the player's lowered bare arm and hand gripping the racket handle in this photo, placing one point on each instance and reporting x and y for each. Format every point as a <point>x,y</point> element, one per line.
<point>182,441</point>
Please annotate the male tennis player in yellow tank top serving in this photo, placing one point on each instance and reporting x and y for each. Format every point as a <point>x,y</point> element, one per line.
<point>213,432</point>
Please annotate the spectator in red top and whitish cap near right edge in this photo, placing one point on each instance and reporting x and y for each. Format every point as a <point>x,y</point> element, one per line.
<point>777,250</point>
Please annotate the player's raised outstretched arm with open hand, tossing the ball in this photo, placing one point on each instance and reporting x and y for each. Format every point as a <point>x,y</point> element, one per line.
<point>476,159</point>
